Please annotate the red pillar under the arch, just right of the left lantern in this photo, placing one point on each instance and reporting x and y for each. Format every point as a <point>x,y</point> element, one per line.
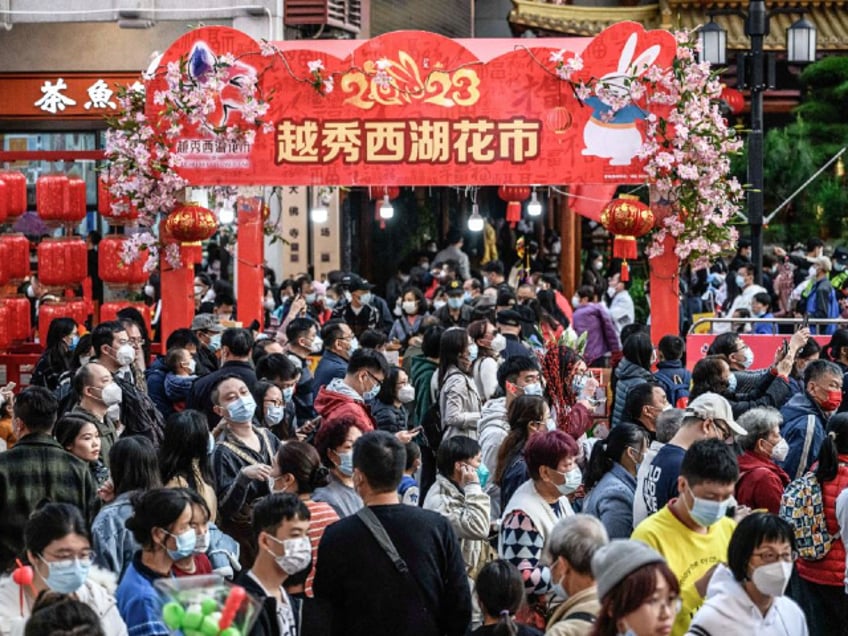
<point>249,264</point>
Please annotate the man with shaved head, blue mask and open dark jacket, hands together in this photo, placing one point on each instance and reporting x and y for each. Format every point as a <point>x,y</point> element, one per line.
<point>241,461</point>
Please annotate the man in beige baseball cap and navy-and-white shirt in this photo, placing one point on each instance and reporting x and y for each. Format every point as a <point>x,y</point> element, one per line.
<point>709,416</point>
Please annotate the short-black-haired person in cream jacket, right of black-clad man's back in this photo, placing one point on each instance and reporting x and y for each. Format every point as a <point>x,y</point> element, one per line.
<point>458,496</point>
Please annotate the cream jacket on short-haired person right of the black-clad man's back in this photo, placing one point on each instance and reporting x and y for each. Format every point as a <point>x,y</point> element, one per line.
<point>467,510</point>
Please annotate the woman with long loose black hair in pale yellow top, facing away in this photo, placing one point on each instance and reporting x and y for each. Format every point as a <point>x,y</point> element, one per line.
<point>184,456</point>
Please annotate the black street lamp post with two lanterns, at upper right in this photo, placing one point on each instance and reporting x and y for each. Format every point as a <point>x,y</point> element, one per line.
<point>801,49</point>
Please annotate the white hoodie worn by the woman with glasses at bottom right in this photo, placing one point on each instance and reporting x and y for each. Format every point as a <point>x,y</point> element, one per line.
<point>729,610</point>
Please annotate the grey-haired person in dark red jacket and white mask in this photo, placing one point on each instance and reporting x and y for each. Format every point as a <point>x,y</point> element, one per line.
<point>761,481</point>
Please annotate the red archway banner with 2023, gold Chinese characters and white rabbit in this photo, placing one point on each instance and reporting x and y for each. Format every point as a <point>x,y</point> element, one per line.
<point>474,112</point>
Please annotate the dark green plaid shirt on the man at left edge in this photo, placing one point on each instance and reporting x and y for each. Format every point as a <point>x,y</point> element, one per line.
<point>38,469</point>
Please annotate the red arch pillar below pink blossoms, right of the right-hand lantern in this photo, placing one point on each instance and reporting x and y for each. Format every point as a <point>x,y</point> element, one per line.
<point>665,285</point>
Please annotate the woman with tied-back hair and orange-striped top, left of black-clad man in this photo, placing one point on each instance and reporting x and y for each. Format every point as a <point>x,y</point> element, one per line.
<point>299,471</point>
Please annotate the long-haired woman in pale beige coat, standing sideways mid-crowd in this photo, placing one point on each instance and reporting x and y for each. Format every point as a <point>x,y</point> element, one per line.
<point>459,402</point>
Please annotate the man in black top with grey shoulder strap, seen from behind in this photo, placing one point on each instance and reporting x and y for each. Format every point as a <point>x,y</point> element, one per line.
<point>368,593</point>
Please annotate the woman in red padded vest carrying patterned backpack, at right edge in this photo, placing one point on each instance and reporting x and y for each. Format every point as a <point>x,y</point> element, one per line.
<point>822,591</point>
